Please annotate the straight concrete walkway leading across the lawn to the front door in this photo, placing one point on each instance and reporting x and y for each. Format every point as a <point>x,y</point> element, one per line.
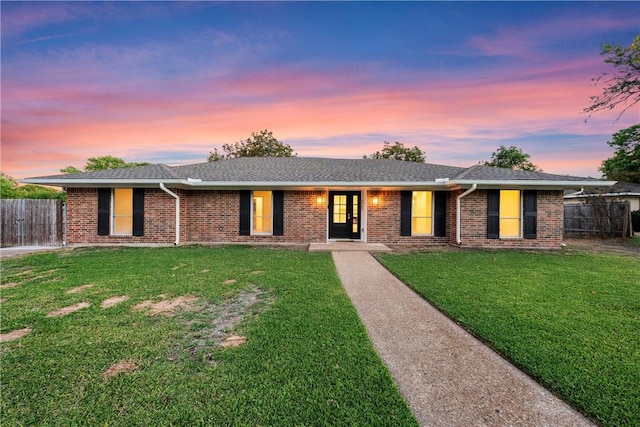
<point>448,377</point>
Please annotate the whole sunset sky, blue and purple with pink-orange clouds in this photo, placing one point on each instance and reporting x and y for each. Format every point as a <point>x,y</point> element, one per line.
<point>167,82</point>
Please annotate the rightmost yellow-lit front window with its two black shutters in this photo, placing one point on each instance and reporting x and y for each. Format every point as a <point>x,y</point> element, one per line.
<point>512,213</point>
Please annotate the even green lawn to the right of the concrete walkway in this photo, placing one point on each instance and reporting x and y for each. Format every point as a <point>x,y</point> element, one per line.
<point>570,320</point>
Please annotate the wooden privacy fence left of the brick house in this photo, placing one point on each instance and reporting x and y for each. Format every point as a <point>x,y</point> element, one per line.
<point>31,222</point>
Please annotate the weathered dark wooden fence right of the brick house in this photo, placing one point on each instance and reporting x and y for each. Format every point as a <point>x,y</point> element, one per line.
<point>598,217</point>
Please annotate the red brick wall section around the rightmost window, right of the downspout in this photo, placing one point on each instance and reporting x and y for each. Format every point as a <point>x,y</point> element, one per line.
<point>550,223</point>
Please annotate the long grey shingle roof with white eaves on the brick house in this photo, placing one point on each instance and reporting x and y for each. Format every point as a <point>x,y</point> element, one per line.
<point>304,172</point>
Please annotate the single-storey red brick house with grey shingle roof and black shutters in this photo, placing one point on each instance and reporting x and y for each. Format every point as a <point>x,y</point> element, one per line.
<point>316,200</point>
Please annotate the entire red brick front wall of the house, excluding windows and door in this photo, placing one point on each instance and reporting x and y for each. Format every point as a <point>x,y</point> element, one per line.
<point>213,217</point>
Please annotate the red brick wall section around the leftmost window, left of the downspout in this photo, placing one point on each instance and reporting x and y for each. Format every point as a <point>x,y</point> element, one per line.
<point>82,218</point>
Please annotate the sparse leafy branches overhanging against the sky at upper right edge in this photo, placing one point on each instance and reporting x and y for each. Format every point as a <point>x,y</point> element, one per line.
<point>622,88</point>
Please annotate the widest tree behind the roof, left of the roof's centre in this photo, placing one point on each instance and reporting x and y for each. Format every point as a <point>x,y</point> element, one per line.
<point>262,144</point>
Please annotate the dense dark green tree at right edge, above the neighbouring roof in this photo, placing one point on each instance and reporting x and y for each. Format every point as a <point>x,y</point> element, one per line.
<point>625,163</point>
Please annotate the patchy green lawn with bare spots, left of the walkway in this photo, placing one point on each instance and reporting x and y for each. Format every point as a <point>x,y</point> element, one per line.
<point>307,360</point>
